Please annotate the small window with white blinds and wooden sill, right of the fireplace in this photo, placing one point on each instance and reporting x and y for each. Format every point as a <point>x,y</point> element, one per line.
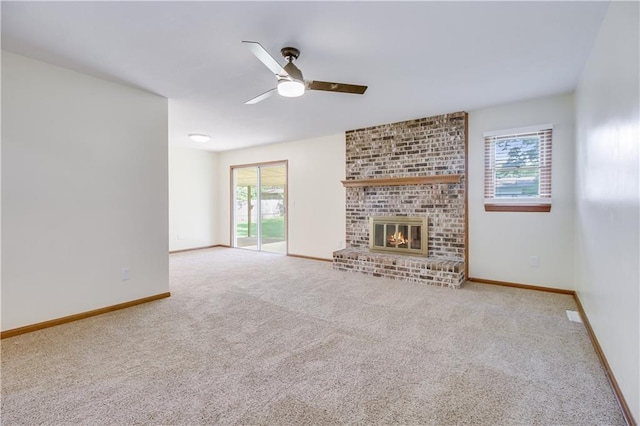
<point>517,169</point>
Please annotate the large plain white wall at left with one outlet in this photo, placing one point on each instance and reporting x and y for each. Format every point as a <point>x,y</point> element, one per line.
<point>84,192</point>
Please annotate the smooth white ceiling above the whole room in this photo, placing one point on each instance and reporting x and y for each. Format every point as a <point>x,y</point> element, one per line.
<point>418,58</point>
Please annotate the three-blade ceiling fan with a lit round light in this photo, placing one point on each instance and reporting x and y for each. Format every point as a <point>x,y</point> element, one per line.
<point>290,81</point>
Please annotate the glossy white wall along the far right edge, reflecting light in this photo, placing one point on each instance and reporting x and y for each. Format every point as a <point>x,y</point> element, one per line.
<point>607,211</point>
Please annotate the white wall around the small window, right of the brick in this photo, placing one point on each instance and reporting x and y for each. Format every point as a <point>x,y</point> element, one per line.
<point>501,243</point>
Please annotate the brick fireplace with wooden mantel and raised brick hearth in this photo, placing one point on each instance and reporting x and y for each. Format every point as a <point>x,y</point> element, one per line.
<point>412,169</point>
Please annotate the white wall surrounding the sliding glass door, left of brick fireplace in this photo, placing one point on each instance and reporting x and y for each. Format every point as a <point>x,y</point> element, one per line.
<point>316,195</point>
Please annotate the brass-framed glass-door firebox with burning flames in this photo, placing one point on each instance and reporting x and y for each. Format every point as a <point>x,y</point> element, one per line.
<point>398,234</point>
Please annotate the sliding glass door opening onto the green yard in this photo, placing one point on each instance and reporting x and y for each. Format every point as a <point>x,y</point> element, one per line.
<point>259,216</point>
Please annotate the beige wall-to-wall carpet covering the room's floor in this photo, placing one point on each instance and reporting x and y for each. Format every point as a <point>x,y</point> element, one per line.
<point>256,338</point>
